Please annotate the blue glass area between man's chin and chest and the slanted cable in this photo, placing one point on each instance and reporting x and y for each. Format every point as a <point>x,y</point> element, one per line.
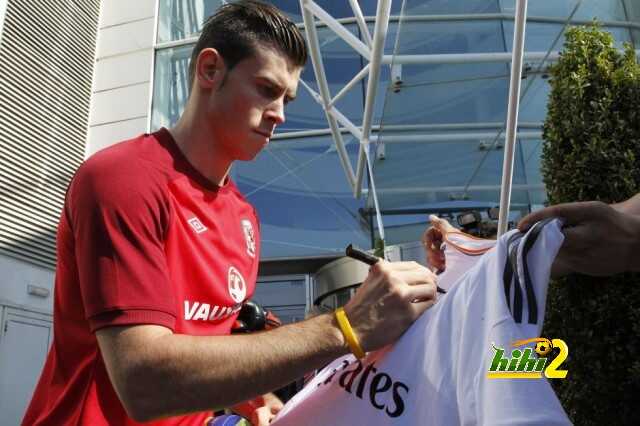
<point>304,202</point>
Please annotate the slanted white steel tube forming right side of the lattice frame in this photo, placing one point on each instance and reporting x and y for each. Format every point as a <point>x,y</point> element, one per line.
<point>379,37</point>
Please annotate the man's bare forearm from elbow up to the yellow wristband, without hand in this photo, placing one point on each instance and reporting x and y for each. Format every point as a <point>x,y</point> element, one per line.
<point>212,372</point>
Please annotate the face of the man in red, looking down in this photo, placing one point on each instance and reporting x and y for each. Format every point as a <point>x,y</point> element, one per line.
<point>246,108</point>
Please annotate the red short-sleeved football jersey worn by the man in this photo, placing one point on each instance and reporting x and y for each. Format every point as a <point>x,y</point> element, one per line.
<point>144,238</point>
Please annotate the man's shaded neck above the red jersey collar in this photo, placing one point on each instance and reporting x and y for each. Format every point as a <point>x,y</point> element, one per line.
<point>201,150</point>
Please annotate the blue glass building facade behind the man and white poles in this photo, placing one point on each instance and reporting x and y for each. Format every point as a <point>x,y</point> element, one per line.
<point>440,123</point>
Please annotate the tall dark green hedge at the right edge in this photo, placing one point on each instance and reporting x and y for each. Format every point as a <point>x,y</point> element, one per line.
<point>592,152</point>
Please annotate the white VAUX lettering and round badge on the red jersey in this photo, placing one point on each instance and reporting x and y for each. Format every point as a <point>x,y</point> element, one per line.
<point>237,288</point>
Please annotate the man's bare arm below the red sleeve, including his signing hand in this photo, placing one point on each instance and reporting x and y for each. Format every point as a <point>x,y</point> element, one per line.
<point>157,373</point>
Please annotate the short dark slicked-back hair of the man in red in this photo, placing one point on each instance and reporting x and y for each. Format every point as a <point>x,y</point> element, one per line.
<point>237,28</point>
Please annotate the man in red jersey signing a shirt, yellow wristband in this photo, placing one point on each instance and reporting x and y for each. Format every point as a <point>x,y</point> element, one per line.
<point>157,251</point>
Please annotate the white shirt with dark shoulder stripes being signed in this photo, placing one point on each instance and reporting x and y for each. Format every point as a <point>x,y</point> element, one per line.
<point>436,373</point>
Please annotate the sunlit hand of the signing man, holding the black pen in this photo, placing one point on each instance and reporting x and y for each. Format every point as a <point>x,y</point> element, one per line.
<point>392,297</point>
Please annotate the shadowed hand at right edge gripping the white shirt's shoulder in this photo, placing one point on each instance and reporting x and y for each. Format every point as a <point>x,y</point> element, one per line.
<point>599,239</point>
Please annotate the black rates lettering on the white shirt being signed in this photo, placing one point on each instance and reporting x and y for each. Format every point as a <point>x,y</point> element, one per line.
<point>375,387</point>
